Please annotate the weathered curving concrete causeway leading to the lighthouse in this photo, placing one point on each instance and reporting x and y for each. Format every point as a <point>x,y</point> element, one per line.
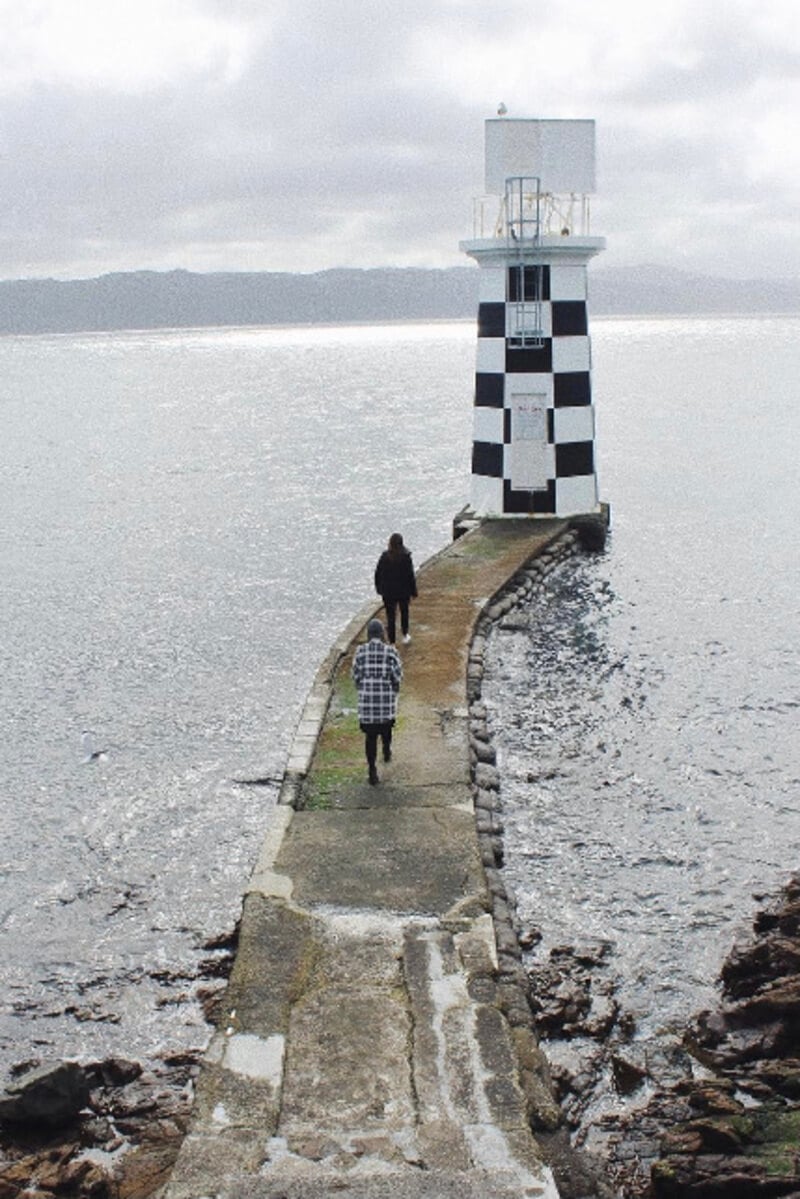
<point>363,1052</point>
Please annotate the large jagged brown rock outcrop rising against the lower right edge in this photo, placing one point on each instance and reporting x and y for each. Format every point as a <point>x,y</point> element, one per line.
<point>733,1130</point>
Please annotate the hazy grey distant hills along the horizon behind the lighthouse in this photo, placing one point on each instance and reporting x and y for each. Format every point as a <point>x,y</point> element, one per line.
<point>183,299</point>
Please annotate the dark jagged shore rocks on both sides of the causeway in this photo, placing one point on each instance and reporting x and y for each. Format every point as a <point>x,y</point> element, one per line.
<point>730,1129</point>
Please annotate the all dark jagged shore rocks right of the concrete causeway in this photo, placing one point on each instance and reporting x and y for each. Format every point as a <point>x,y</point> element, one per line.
<point>727,1125</point>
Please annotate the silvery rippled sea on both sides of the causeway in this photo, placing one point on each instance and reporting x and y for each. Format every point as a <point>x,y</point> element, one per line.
<point>188,521</point>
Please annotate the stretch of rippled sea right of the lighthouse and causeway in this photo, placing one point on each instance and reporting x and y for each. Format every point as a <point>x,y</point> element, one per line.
<point>647,721</point>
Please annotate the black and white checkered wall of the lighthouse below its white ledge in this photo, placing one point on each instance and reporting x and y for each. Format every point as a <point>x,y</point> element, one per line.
<point>555,373</point>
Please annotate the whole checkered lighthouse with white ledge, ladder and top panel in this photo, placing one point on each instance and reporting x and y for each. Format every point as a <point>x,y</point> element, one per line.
<point>534,429</point>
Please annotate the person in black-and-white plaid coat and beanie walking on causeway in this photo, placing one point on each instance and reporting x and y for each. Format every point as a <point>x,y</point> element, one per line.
<point>377,671</point>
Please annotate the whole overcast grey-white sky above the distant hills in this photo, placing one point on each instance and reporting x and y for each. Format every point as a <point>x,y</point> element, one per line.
<point>302,135</point>
